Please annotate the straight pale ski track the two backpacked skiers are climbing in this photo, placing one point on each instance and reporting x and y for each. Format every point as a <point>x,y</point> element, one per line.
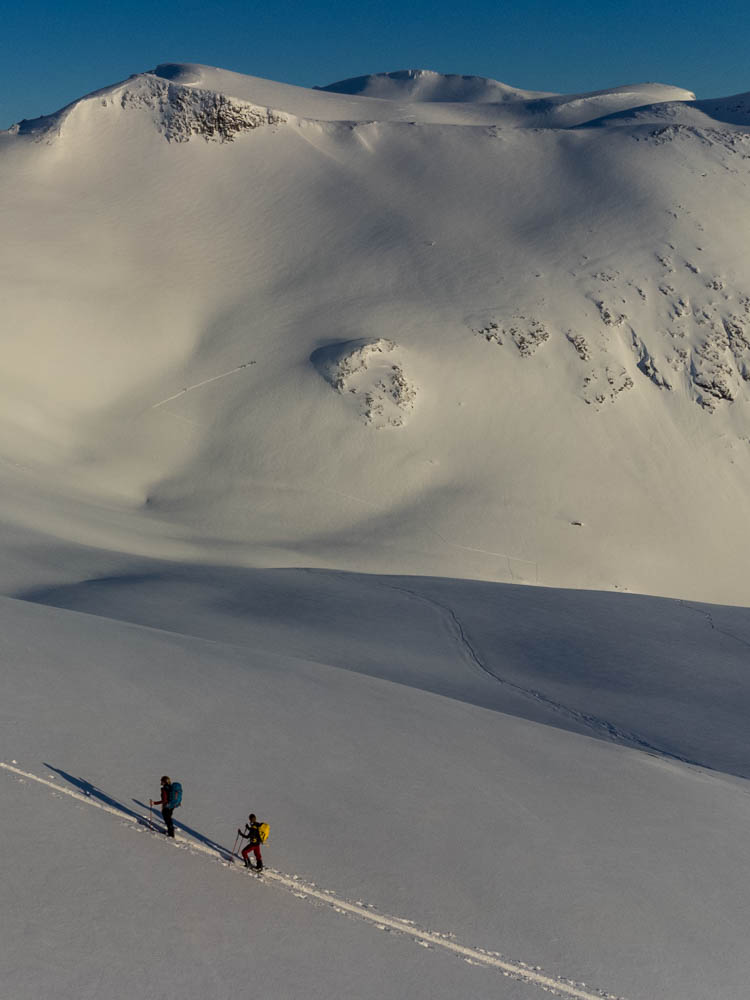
<point>532,976</point>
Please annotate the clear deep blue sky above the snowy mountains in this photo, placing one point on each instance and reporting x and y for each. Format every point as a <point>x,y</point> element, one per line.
<point>56,52</point>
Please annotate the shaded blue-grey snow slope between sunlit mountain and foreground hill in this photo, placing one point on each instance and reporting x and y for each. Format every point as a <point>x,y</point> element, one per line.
<point>664,676</point>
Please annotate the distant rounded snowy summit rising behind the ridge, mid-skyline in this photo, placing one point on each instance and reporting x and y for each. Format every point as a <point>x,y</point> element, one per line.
<point>427,85</point>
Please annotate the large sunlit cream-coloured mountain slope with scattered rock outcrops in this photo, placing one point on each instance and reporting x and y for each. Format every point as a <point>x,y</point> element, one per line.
<point>563,401</point>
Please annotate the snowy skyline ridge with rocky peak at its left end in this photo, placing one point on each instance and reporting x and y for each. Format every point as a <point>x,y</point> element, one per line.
<point>224,103</point>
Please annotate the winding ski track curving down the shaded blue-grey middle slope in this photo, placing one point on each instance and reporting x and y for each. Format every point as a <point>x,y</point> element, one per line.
<point>602,727</point>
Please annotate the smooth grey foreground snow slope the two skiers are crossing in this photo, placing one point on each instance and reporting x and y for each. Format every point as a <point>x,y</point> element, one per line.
<point>594,862</point>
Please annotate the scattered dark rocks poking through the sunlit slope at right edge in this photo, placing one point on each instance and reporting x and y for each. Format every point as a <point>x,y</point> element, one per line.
<point>680,328</point>
